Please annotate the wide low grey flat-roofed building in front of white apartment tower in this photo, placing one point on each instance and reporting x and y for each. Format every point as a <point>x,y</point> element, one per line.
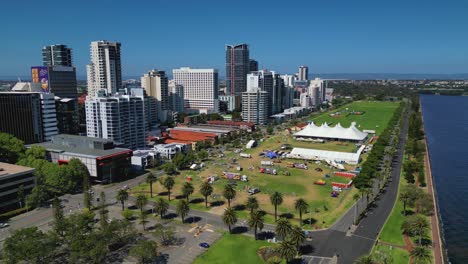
<point>105,162</point>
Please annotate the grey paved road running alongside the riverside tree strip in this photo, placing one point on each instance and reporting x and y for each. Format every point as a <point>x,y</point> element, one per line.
<point>348,246</point>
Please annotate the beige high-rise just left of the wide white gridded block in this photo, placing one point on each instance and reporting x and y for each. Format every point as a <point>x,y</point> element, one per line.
<point>155,84</point>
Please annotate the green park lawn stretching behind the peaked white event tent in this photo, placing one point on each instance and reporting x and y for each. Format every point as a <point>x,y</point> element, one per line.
<point>376,116</point>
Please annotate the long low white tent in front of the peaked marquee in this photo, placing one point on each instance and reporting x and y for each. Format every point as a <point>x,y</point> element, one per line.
<point>316,154</point>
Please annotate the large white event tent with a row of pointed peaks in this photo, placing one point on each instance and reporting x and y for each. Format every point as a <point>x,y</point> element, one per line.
<point>334,133</point>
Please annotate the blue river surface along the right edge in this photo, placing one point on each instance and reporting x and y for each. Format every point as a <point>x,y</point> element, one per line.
<point>446,126</point>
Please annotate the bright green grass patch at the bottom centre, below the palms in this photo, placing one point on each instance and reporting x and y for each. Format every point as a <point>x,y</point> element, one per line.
<point>233,249</point>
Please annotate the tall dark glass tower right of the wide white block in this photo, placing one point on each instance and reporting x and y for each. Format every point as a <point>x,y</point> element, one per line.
<point>237,68</point>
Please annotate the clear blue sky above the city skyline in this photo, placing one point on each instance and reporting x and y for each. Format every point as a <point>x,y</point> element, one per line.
<point>330,36</point>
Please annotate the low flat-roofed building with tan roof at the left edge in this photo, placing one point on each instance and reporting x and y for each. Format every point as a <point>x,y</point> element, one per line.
<point>12,177</point>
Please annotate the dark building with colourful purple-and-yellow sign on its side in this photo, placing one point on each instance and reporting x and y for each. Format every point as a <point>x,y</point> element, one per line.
<point>59,80</point>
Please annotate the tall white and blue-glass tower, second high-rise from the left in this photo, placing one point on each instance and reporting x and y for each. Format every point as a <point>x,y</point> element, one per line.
<point>104,71</point>
